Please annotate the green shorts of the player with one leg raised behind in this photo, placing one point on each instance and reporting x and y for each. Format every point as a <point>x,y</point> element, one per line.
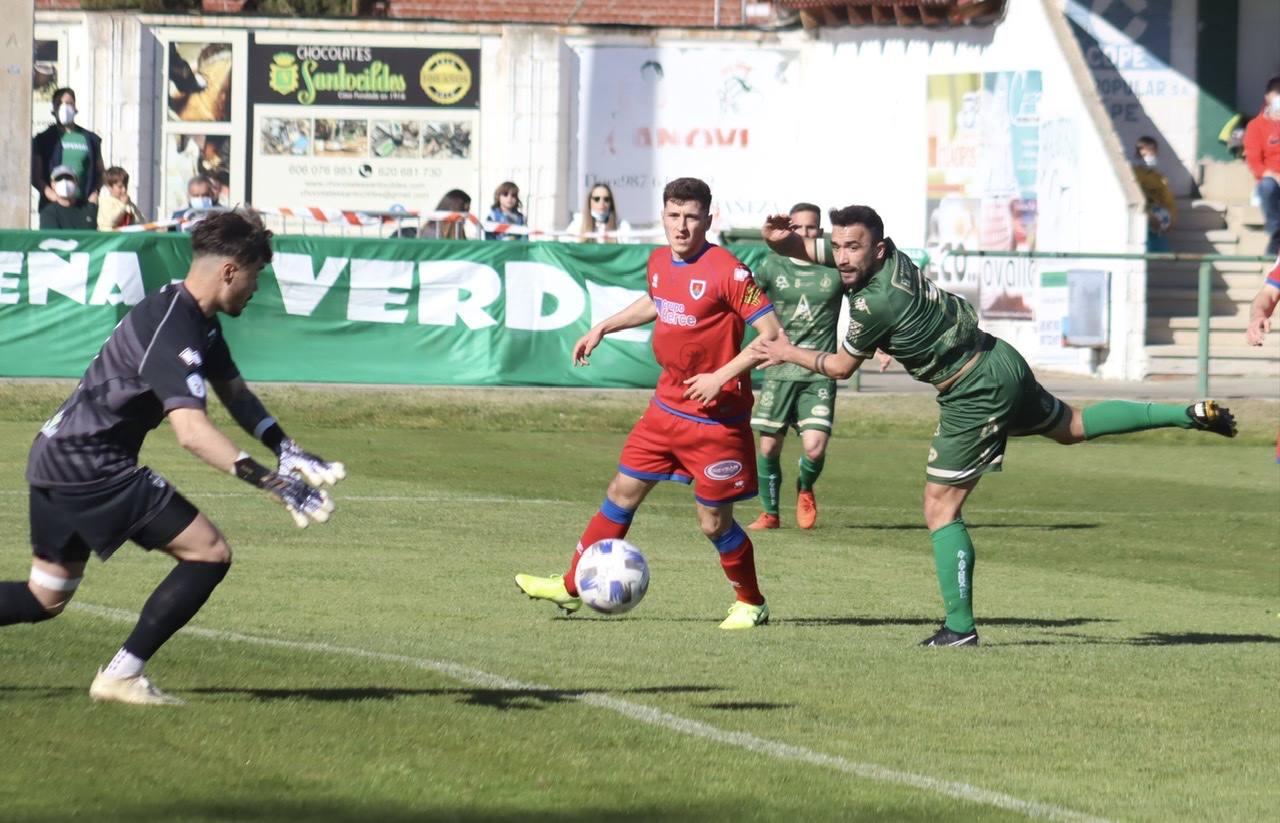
<point>996,400</point>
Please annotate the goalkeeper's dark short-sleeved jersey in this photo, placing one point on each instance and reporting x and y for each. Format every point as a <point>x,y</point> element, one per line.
<point>157,360</point>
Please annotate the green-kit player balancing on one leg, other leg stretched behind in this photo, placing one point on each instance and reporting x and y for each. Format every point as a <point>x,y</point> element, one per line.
<point>986,391</point>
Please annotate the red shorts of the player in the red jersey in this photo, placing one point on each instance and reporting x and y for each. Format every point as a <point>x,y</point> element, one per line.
<point>717,459</point>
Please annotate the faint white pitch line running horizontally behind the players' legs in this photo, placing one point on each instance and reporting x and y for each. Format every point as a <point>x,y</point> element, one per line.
<point>518,501</point>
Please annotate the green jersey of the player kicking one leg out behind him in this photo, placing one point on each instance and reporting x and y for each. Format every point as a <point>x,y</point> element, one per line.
<point>902,313</point>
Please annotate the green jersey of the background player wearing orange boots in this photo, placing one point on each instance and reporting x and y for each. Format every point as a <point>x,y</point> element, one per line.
<point>807,301</point>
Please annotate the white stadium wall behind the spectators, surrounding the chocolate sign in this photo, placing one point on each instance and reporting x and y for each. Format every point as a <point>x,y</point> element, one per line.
<point>842,118</point>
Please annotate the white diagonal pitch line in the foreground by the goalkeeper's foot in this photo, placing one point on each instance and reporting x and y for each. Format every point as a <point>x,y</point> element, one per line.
<point>650,716</point>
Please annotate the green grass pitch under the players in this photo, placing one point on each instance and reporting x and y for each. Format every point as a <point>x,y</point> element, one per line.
<point>385,667</point>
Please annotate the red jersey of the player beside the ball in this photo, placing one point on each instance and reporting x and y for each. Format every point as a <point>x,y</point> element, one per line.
<point>703,308</point>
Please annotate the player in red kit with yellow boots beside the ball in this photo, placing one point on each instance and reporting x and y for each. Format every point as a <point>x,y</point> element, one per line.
<point>697,428</point>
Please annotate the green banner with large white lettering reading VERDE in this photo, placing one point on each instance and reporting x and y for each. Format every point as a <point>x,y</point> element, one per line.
<point>345,310</point>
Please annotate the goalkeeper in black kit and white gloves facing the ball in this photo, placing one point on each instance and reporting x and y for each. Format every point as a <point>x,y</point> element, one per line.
<point>89,493</point>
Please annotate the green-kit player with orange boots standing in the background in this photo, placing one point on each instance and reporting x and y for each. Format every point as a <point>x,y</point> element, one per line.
<point>807,299</point>
